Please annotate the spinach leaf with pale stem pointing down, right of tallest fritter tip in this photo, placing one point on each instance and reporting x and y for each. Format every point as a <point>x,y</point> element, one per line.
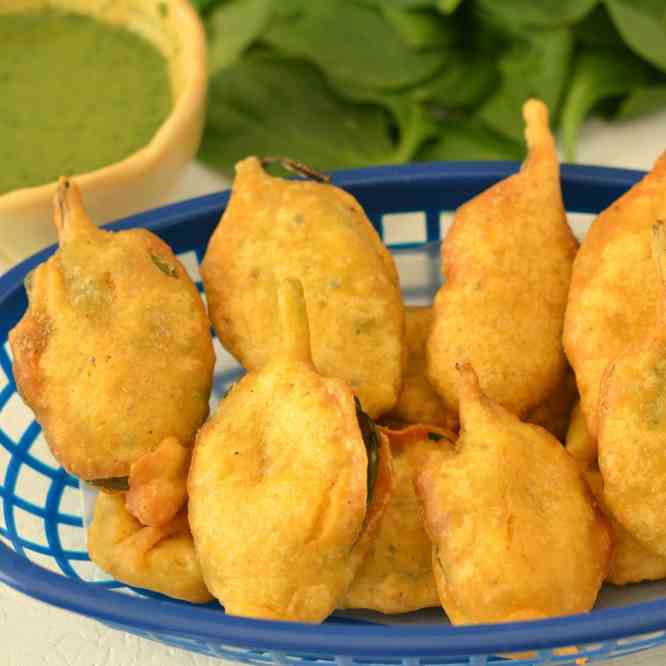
<point>597,75</point>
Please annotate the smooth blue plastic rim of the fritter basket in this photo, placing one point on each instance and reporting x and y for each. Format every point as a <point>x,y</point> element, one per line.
<point>365,640</point>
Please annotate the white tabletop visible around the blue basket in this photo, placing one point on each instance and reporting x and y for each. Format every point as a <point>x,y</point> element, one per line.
<point>35,634</point>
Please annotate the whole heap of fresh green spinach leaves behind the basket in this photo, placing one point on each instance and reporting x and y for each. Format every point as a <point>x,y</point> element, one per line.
<point>344,83</point>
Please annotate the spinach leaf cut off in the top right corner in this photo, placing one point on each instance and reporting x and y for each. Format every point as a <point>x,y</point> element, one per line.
<point>642,24</point>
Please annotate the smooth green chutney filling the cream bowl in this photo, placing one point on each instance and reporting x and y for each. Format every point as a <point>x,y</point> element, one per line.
<point>76,94</point>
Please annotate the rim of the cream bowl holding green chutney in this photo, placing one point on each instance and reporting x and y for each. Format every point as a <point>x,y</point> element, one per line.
<point>192,95</point>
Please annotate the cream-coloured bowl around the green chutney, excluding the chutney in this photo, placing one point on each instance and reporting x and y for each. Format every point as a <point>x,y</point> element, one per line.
<point>143,179</point>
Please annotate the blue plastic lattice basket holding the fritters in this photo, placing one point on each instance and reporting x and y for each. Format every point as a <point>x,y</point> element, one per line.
<point>42,552</point>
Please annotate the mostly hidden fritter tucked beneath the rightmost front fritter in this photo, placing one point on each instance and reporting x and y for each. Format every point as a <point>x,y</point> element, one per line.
<point>630,562</point>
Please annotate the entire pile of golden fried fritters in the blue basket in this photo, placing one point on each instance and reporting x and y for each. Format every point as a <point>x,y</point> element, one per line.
<point>289,501</point>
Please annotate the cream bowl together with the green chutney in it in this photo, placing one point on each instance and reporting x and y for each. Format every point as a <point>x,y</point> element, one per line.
<point>109,92</point>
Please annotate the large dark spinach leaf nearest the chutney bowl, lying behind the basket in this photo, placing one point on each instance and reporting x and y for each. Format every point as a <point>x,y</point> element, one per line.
<point>264,104</point>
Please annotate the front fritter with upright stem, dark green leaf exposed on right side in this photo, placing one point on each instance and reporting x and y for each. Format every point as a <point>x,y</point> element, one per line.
<point>284,496</point>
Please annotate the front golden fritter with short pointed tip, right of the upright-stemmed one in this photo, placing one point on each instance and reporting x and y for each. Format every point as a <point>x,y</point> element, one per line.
<point>515,532</point>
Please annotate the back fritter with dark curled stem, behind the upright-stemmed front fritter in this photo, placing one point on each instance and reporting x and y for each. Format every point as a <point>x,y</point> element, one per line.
<point>274,229</point>
